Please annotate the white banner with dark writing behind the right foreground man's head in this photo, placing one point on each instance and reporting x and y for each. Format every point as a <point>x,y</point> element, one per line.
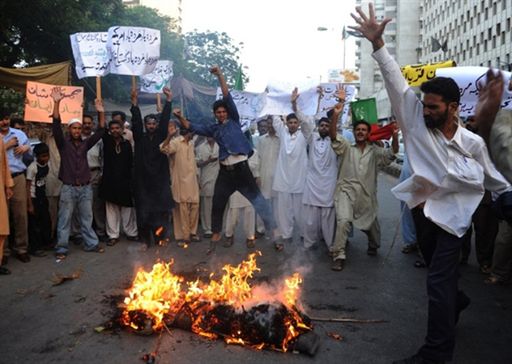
<point>468,79</point>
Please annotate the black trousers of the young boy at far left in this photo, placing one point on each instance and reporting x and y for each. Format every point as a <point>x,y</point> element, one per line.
<point>39,226</point>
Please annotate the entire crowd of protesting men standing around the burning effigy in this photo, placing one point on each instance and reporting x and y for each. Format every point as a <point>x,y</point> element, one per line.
<point>297,177</point>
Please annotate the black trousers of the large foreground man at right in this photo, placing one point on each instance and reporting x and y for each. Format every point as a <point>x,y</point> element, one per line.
<point>441,251</point>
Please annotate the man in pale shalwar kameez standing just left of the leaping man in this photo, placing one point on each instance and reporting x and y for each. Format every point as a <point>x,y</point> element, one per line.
<point>207,158</point>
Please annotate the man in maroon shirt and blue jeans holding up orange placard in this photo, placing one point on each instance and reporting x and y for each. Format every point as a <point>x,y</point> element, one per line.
<point>76,192</point>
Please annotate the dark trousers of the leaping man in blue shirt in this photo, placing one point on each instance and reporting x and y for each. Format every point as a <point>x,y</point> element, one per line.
<point>238,177</point>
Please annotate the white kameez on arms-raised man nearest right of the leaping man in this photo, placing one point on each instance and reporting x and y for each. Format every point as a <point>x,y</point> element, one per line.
<point>290,173</point>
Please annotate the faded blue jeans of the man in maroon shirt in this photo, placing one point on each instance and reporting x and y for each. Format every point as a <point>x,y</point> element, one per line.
<point>79,198</point>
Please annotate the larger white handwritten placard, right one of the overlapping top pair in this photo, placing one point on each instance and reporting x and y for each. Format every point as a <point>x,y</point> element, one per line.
<point>134,50</point>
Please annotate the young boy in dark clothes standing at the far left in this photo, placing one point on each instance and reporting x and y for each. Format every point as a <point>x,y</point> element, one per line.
<point>39,223</point>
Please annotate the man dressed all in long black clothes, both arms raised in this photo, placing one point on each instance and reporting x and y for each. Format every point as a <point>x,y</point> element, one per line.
<point>153,200</point>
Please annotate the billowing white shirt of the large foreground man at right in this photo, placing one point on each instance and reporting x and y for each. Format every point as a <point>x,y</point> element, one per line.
<point>448,175</point>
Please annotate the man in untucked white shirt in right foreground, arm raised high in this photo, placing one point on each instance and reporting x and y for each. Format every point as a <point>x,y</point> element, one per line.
<point>449,164</point>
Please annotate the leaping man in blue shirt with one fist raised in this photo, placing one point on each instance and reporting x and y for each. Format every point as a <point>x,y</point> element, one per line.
<point>234,151</point>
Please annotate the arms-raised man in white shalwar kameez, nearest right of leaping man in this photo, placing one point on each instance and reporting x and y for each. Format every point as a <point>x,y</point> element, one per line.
<point>290,174</point>
